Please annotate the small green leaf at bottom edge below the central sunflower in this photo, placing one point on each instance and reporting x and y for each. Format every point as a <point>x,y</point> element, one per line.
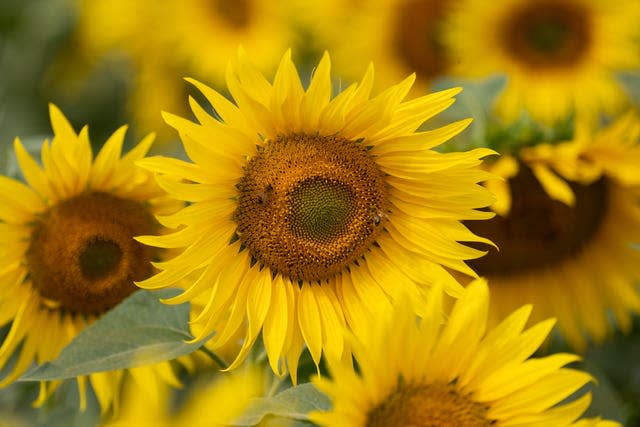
<point>293,403</point>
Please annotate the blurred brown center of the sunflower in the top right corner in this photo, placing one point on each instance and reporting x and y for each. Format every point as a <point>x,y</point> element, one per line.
<point>547,34</point>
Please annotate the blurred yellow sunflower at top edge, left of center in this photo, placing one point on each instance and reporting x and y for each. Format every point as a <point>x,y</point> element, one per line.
<point>161,42</point>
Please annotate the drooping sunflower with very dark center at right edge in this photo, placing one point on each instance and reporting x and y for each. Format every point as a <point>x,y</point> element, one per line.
<point>569,217</point>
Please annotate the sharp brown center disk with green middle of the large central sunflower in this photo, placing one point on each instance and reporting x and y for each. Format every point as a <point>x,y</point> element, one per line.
<point>309,206</point>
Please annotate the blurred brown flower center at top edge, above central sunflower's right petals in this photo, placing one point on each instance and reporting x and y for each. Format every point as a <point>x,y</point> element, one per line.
<point>418,38</point>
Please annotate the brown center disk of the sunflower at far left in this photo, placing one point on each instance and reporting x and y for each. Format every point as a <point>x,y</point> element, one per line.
<point>82,256</point>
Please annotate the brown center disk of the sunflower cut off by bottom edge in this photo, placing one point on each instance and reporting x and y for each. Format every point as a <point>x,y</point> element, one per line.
<point>430,405</point>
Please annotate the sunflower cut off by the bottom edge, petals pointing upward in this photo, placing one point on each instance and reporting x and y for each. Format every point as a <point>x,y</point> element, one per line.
<point>453,373</point>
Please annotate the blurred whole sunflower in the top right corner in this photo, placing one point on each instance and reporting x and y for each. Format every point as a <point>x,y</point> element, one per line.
<point>559,56</point>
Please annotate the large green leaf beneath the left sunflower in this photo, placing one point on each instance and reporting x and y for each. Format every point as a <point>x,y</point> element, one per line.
<point>139,331</point>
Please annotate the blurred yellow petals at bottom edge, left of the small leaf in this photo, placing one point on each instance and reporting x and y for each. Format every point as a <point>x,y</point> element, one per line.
<point>212,403</point>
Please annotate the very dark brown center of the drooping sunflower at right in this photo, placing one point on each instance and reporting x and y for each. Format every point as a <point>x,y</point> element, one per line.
<point>539,231</point>
